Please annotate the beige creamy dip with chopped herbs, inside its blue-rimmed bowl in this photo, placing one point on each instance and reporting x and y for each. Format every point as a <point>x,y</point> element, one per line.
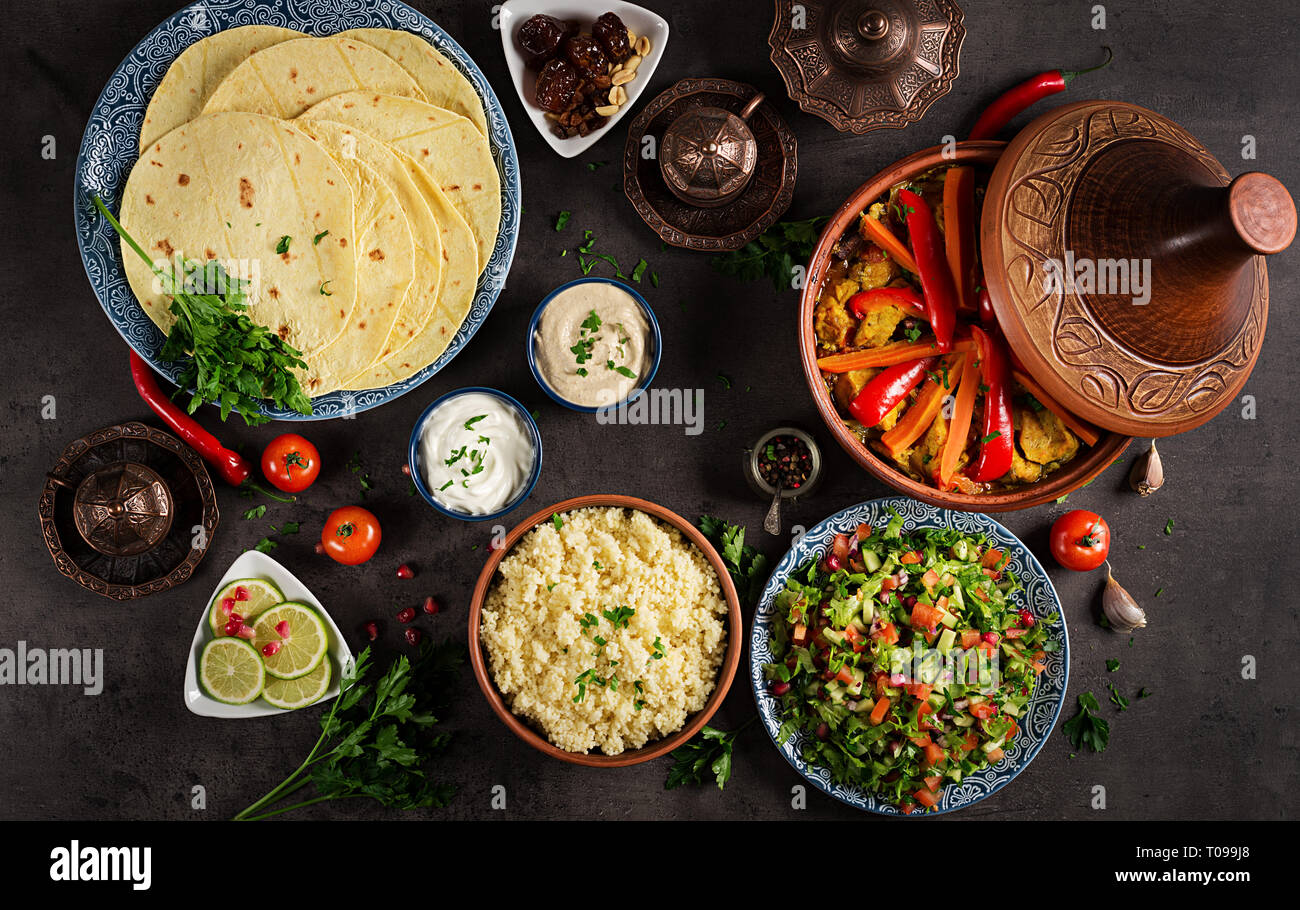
<point>591,345</point>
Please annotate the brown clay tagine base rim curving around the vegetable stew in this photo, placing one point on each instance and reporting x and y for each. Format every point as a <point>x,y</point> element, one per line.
<point>1068,479</point>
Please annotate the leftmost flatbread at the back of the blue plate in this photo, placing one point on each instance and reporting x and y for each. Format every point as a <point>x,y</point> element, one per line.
<point>190,80</point>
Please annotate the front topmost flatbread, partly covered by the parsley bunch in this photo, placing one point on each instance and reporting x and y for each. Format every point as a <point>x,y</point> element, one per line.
<point>228,188</point>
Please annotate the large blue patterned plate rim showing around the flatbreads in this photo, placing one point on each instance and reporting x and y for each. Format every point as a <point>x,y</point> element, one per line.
<point>110,150</point>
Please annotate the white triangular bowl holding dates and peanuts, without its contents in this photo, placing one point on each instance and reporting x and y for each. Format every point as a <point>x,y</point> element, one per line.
<point>642,21</point>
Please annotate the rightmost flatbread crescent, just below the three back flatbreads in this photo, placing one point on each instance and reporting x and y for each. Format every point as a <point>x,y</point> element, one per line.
<point>447,145</point>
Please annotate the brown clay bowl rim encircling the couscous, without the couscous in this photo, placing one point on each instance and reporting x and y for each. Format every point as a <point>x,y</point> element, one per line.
<point>518,726</point>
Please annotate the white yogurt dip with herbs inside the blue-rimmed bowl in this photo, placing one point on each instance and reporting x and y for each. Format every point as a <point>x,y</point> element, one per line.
<point>476,454</point>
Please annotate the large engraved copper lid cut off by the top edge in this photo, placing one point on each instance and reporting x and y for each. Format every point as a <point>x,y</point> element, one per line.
<point>868,64</point>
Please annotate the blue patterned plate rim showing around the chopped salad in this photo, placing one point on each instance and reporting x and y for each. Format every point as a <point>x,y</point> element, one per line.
<point>1039,596</point>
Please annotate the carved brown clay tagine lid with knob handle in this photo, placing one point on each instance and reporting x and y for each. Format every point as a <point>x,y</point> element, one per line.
<point>1128,268</point>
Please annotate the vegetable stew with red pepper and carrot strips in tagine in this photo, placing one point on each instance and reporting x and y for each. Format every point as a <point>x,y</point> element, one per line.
<point>912,354</point>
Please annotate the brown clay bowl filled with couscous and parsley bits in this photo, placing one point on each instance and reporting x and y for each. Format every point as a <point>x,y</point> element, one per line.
<point>605,631</point>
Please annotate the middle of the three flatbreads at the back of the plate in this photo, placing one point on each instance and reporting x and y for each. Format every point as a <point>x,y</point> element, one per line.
<point>287,79</point>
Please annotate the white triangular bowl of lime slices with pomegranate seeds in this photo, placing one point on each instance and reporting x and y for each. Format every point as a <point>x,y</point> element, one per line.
<point>291,655</point>
